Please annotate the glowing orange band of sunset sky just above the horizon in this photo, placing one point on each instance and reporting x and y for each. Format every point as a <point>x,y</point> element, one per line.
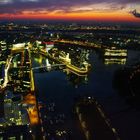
<point>97,16</point>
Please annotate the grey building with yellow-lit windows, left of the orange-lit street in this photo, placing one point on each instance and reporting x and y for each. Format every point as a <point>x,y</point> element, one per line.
<point>13,113</point>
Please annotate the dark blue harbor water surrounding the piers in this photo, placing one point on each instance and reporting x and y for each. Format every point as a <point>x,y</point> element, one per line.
<point>57,89</point>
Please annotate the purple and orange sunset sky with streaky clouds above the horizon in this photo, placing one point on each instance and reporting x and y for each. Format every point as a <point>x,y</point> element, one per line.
<point>99,10</point>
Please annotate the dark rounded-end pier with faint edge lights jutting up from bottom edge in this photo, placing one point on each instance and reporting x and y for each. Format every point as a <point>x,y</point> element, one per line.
<point>94,123</point>
